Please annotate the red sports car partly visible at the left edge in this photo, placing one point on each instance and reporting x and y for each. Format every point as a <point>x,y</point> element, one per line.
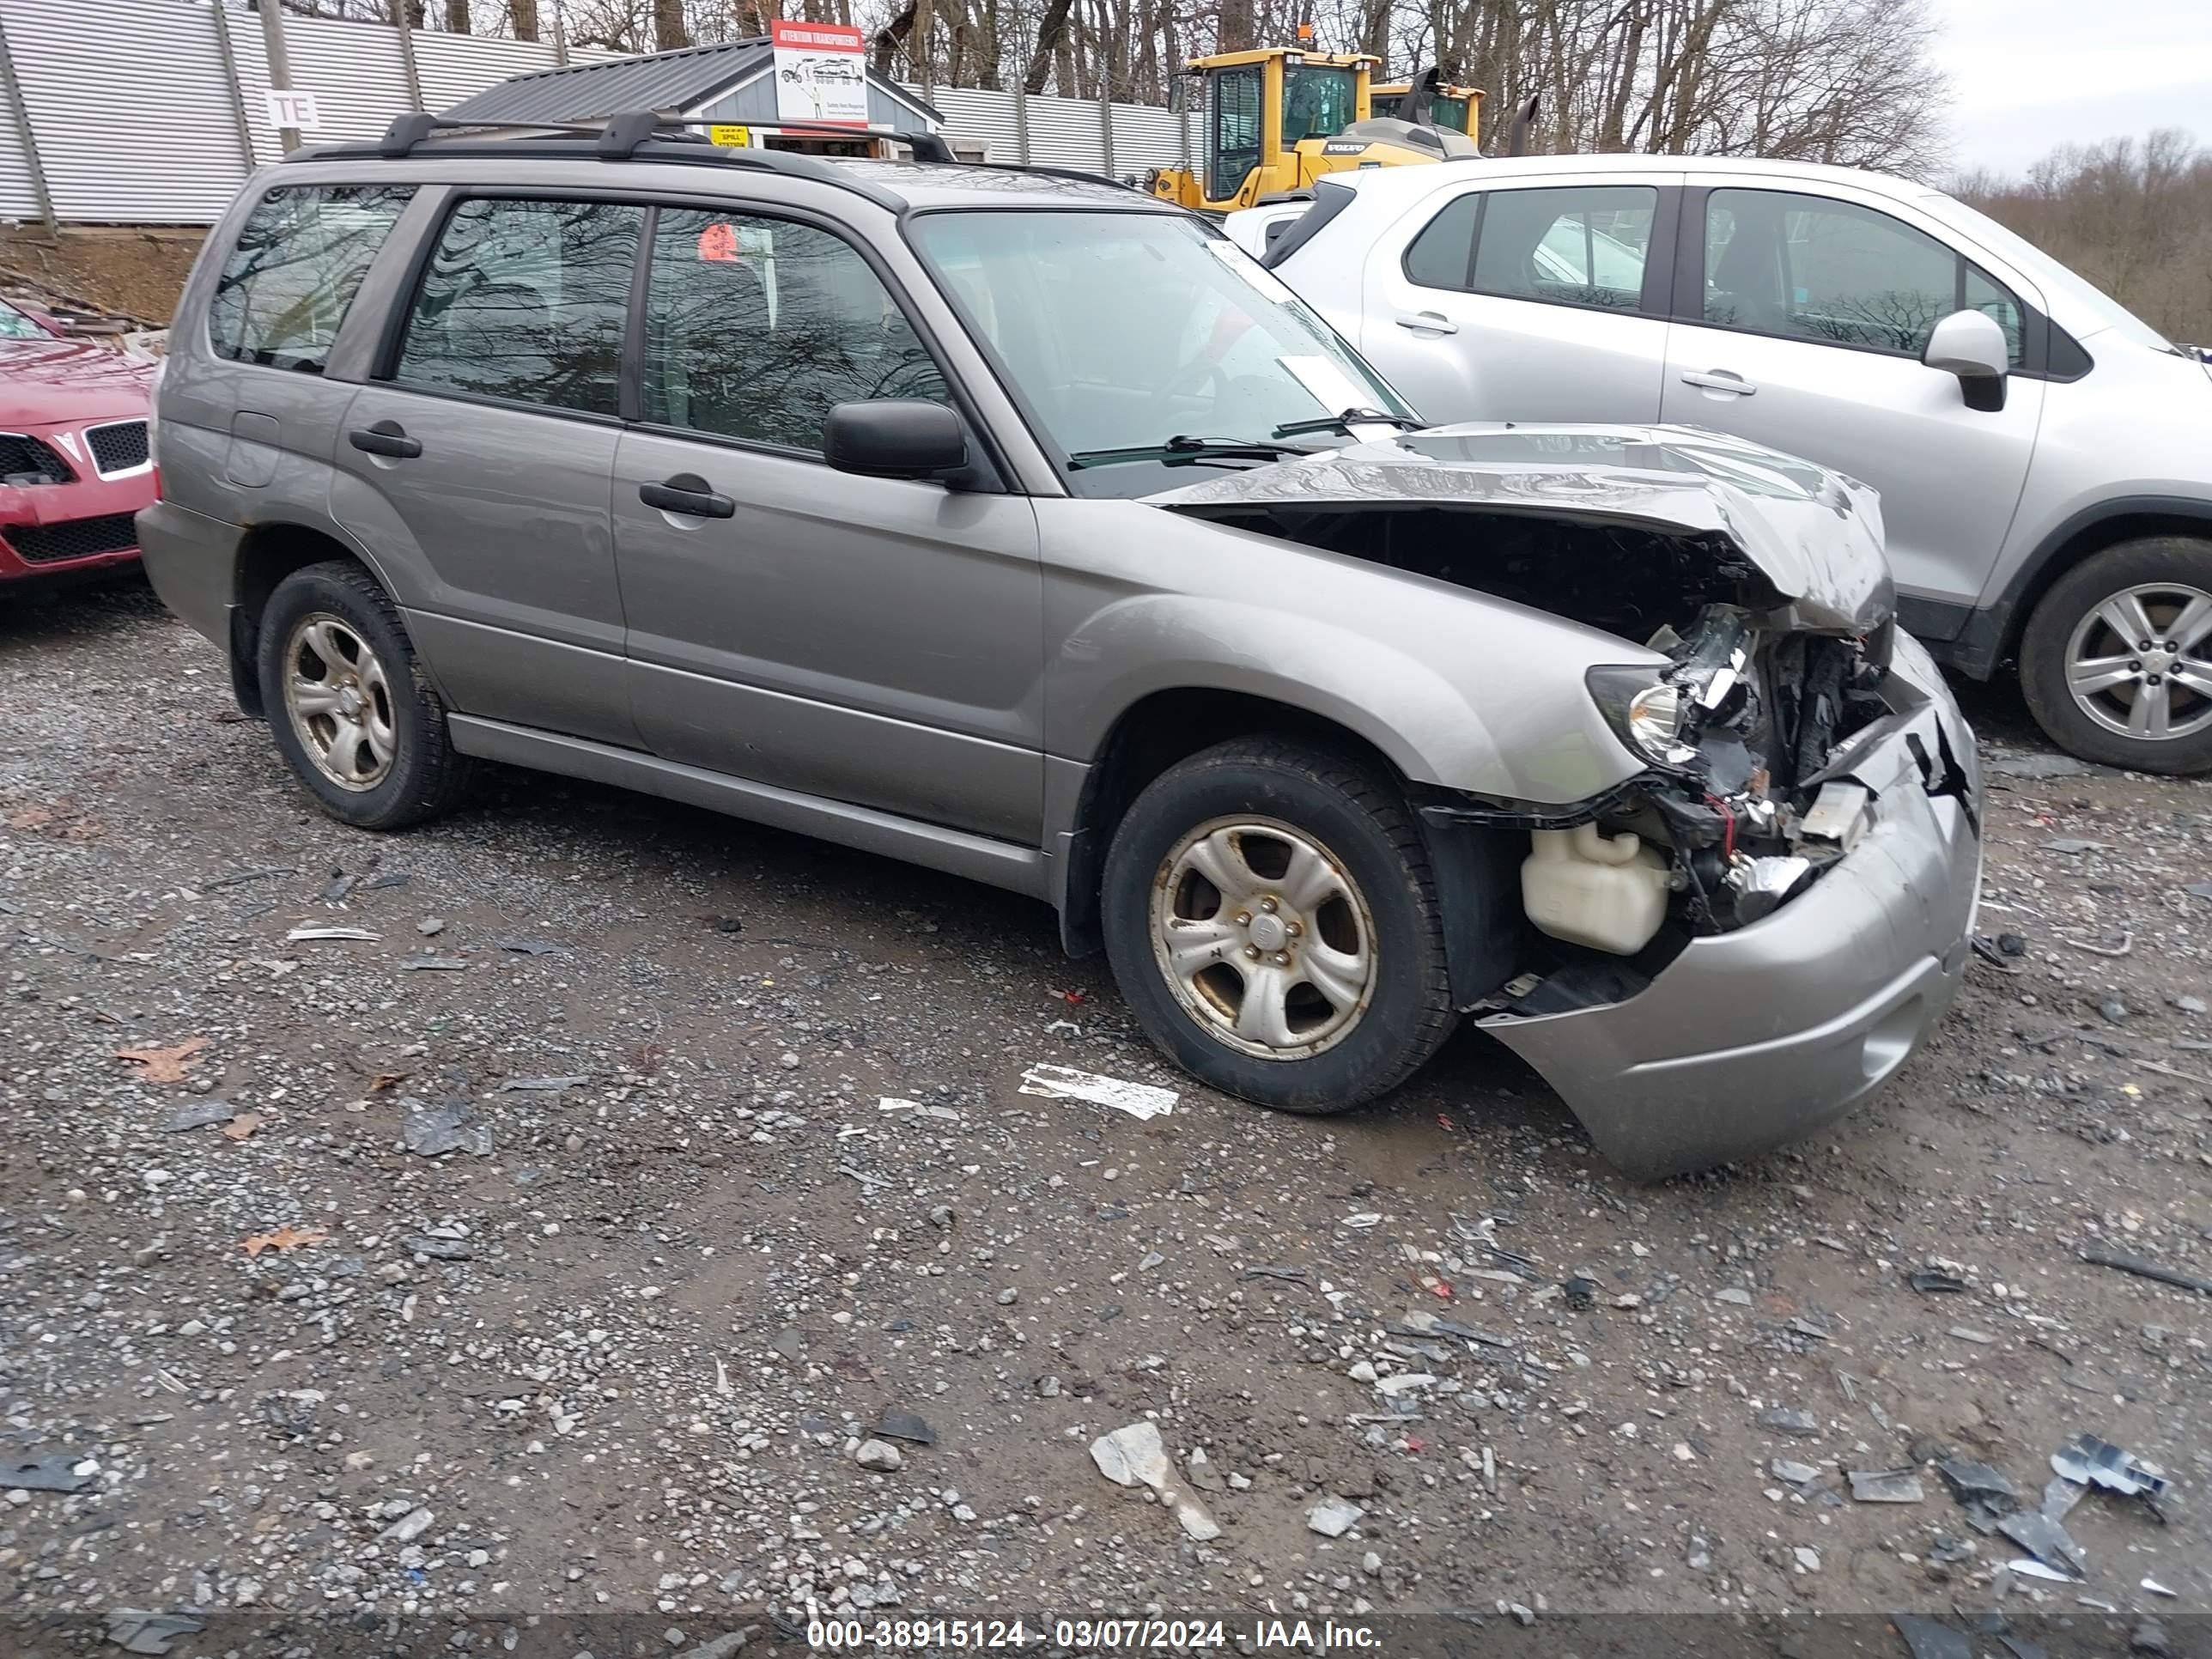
<point>74,457</point>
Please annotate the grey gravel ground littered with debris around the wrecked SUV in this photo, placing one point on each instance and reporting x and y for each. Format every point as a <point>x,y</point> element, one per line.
<point>751,1282</point>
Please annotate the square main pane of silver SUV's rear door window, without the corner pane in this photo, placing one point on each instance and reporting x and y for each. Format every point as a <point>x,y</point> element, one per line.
<point>1574,247</point>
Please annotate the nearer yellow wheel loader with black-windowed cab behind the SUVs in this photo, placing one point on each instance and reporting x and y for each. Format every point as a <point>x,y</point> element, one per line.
<point>1280,118</point>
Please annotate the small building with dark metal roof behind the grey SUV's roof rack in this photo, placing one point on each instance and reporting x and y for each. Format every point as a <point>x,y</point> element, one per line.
<point>731,83</point>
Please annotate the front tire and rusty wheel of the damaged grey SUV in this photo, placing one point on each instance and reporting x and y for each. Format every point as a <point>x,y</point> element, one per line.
<point>1297,822</point>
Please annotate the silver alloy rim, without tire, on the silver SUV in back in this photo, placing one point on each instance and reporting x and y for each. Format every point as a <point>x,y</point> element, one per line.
<point>2140,662</point>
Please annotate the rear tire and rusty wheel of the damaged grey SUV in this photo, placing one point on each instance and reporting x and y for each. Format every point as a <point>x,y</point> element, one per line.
<point>342,629</point>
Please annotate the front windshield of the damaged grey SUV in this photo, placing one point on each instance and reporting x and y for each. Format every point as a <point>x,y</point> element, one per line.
<point>1123,331</point>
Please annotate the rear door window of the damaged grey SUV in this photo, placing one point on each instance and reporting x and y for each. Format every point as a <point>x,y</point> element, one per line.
<point>525,302</point>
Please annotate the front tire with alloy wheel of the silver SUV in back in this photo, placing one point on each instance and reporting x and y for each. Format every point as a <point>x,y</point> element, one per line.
<point>2078,623</point>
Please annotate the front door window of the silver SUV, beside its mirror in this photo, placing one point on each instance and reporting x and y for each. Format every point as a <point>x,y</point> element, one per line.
<point>1839,273</point>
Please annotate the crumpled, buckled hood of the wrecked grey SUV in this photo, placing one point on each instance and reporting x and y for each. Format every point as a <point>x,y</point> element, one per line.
<point>1811,534</point>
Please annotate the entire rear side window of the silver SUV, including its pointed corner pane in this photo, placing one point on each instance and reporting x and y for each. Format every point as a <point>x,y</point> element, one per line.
<point>1569,247</point>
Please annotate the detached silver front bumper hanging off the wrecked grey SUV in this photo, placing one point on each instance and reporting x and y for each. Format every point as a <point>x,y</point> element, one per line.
<point>1760,1036</point>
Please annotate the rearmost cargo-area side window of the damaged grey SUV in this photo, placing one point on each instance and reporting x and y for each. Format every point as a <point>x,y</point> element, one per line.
<point>295,271</point>
